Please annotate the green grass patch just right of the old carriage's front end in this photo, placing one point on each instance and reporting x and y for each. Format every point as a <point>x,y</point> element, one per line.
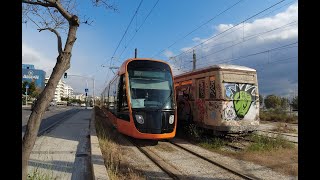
<point>264,143</point>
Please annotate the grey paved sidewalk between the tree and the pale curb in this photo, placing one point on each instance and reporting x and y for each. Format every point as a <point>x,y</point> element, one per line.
<point>64,152</point>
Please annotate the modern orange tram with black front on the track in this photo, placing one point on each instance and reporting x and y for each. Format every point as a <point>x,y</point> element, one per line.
<point>140,99</point>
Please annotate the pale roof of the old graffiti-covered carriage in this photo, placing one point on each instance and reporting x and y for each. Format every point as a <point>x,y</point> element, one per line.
<point>216,67</point>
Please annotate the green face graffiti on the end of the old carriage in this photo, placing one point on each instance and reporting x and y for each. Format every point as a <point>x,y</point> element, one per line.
<point>242,95</point>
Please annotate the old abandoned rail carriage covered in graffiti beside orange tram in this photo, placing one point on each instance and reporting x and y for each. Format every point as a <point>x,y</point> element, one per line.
<point>223,98</point>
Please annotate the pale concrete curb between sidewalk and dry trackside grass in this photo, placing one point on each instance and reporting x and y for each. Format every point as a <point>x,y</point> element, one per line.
<point>99,170</point>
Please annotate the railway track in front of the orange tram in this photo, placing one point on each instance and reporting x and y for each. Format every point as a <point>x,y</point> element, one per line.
<point>174,171</point>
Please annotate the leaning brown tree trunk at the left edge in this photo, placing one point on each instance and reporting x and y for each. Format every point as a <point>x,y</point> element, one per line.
<point>62,64</point>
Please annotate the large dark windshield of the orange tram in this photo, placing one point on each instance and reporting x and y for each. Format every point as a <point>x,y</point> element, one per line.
<point>150,84</point>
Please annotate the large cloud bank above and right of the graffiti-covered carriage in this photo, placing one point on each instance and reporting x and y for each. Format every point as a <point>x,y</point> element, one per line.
<point>250,38</point>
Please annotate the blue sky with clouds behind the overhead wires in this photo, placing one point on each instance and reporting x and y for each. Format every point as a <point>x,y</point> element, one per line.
<point>271,35</point>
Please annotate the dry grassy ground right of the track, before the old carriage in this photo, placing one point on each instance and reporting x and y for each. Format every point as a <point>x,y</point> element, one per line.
<point>275,153</point>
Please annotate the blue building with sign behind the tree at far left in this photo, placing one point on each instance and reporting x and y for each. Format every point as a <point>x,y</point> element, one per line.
<point>29,73</point>
